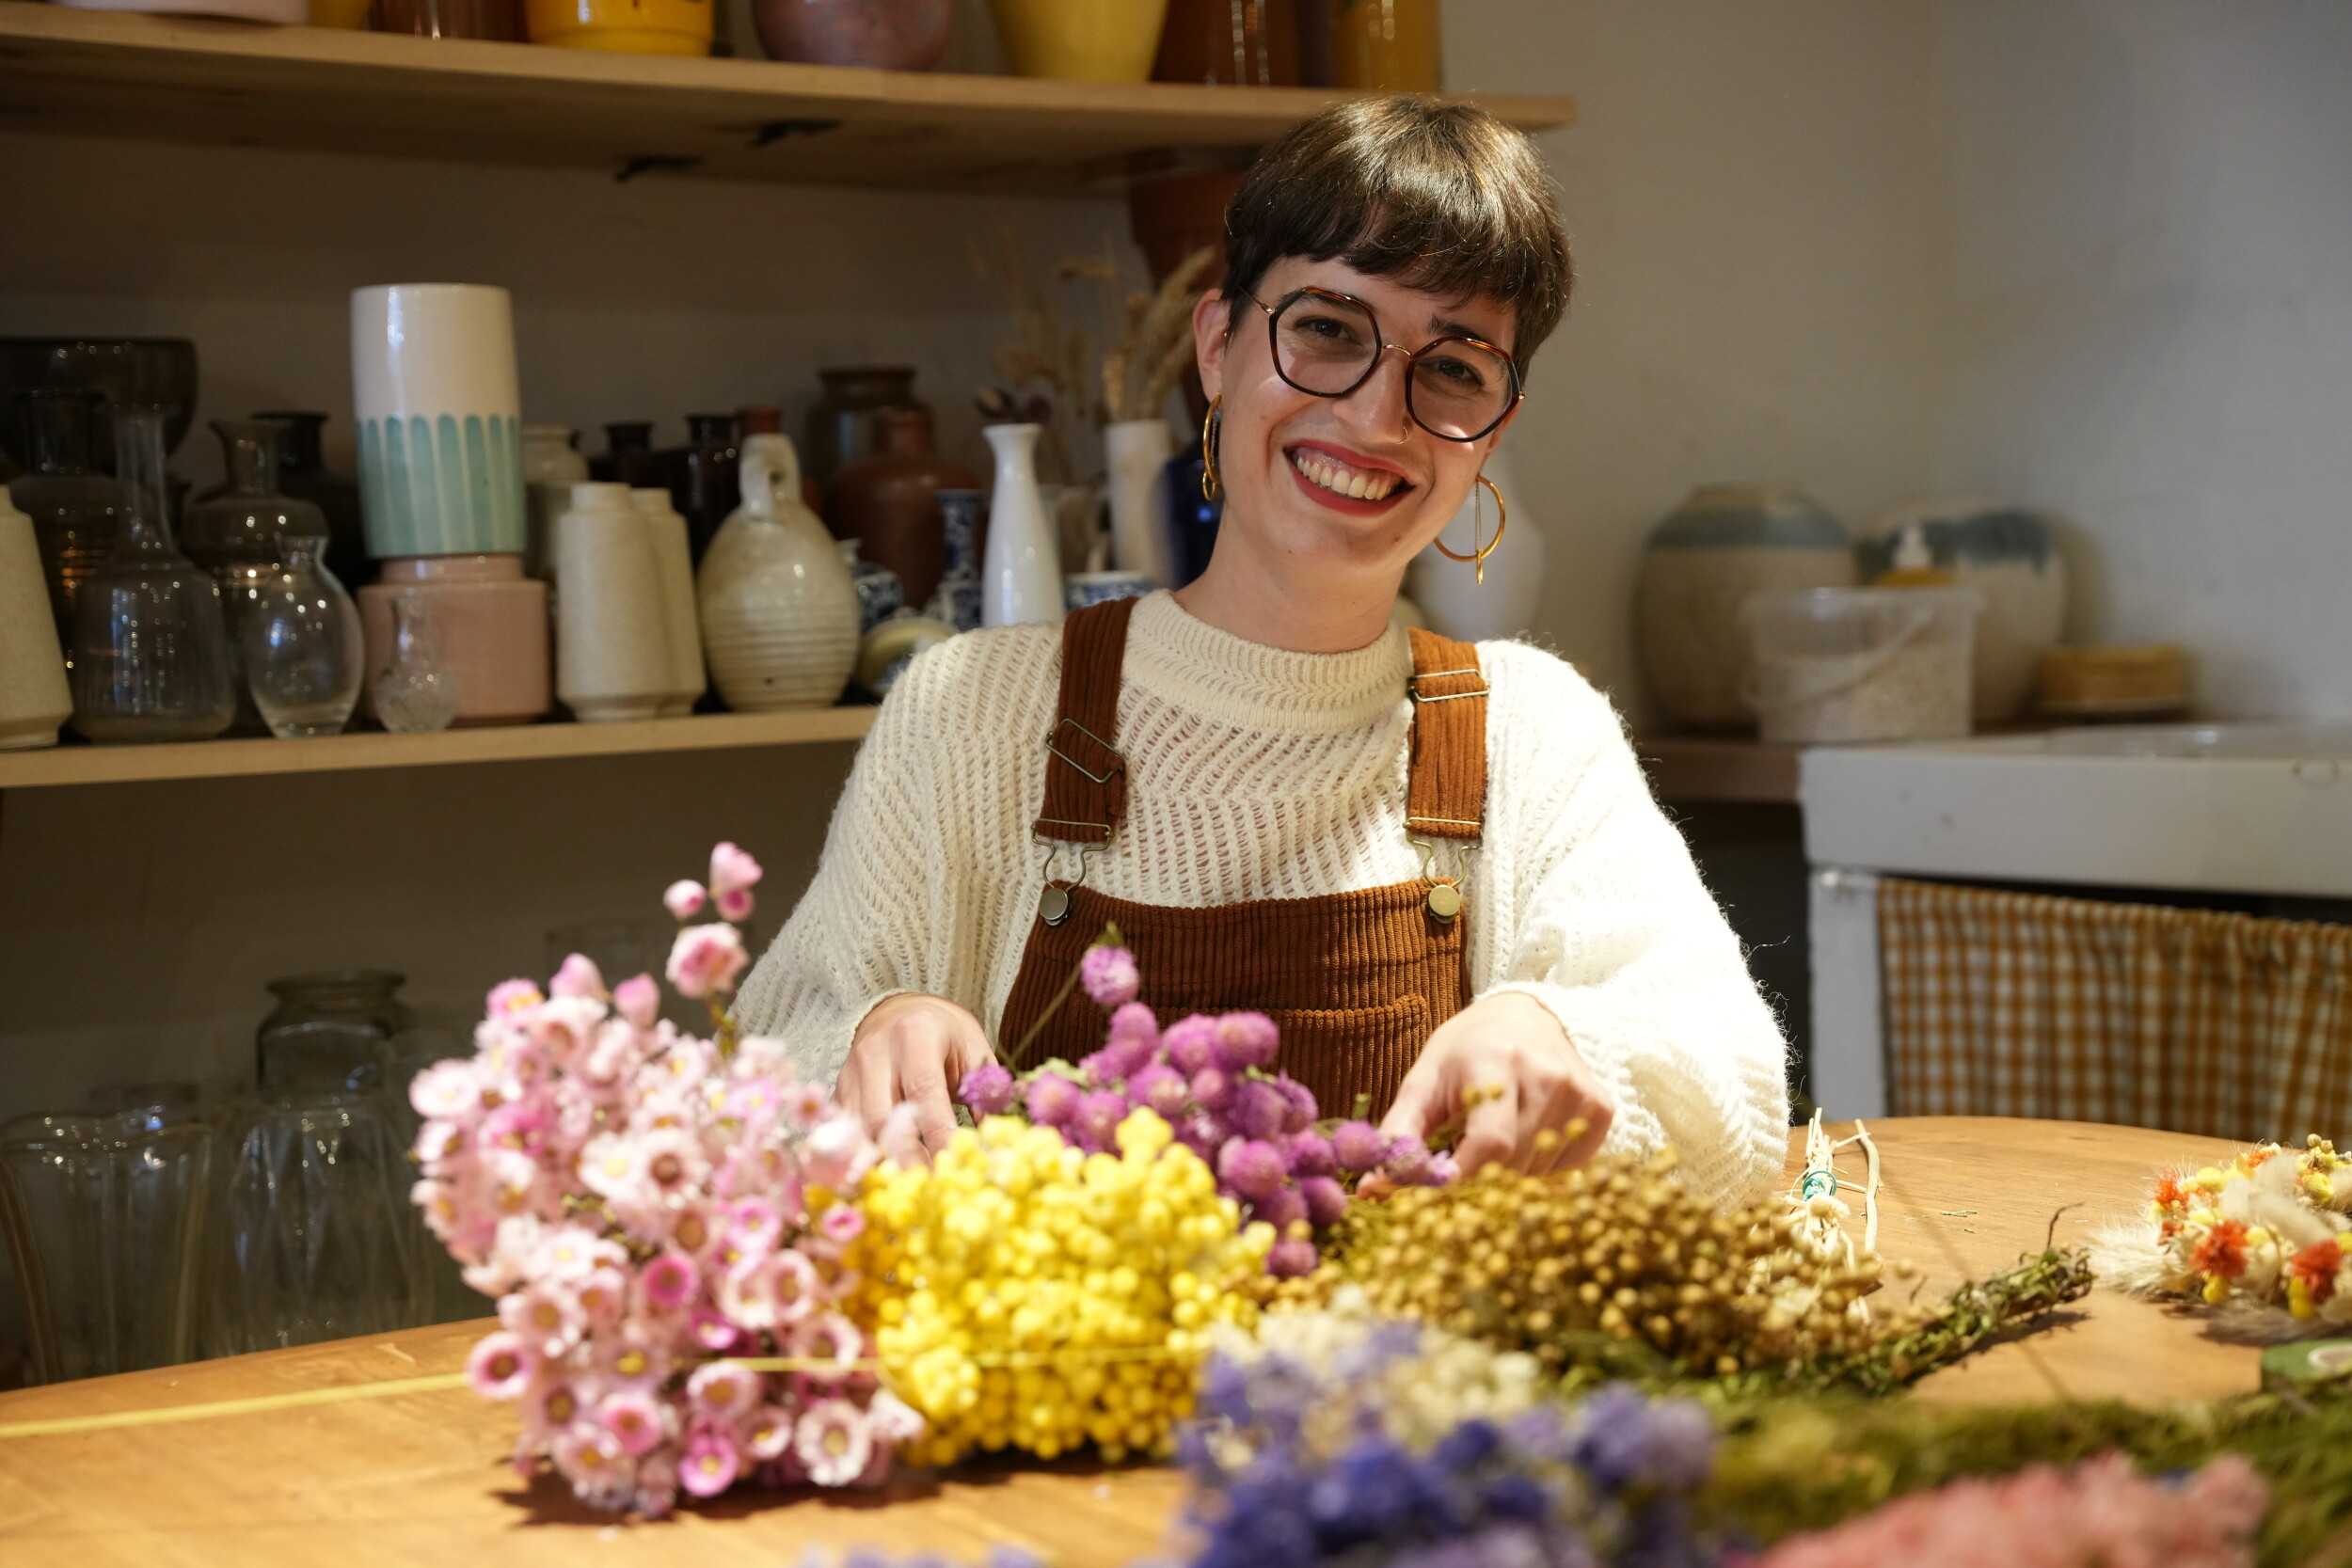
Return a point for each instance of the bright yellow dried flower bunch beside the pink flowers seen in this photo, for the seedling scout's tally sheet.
(1031, 1296)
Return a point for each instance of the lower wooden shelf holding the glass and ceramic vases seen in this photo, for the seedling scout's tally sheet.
(86, 765)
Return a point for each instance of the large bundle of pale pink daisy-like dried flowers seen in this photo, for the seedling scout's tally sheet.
(655, 1209)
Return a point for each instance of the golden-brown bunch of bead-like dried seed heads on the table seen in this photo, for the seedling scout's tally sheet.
(1615, 1249)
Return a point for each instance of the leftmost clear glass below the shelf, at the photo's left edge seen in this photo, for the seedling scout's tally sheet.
(105, 1224)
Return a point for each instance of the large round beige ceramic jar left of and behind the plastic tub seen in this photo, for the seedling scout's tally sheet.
(1699, 568)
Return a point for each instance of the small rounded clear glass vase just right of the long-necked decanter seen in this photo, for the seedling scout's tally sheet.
(302, 645)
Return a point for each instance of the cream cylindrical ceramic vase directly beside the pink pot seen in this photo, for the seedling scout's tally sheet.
(613, 652)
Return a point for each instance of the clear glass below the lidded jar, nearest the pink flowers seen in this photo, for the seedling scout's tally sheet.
(316, 1233)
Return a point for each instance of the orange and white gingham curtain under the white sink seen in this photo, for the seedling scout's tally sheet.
(2019, 1005)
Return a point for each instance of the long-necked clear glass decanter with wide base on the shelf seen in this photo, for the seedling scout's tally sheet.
(149, 643)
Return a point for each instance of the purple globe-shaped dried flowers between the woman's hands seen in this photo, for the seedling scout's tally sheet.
(1212, 1080)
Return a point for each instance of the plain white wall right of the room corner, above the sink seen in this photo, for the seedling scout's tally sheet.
(2146, 316)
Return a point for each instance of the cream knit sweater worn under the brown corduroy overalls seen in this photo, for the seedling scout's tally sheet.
(1269, 775)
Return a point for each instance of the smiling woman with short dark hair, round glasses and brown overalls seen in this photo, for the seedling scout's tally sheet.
(1434, 864)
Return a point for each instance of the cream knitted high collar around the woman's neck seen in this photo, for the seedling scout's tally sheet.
(1250, 685)
